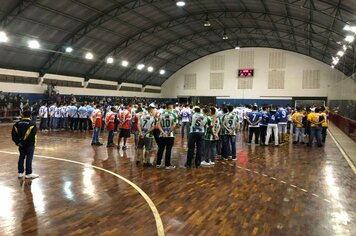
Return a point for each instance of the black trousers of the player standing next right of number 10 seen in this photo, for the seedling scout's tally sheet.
(195, 140)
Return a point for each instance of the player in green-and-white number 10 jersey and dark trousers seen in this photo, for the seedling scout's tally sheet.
(166, 125)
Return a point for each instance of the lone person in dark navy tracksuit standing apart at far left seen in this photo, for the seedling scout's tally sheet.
(24, 135)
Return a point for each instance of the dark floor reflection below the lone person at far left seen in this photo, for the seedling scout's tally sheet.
(29, 218)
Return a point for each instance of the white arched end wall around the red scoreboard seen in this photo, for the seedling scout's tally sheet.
(294, 66)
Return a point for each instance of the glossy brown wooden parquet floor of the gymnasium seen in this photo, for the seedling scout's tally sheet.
(290, 190)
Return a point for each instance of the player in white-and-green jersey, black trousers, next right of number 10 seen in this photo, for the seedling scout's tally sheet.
(196, 136)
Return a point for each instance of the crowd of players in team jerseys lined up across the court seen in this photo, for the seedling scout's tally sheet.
(211, 131)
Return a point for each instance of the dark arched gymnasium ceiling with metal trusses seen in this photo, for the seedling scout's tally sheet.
(164, 36)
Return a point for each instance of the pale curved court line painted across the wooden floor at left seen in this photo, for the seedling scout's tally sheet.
(159, 224)
